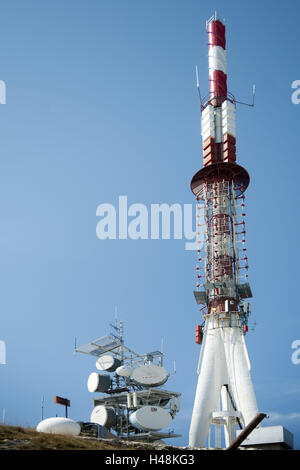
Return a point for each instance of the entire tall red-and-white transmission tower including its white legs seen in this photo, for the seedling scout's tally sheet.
(222, 279)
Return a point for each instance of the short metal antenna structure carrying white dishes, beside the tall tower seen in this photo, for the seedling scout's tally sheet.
(132, 405)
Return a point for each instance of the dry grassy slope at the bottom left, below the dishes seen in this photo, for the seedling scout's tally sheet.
(16, 437)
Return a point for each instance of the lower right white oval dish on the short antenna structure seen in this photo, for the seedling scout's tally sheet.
(150, 418)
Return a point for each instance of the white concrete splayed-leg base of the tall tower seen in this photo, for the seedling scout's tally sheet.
(223, 361)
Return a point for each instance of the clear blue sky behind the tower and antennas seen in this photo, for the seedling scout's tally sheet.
(101, 102)
